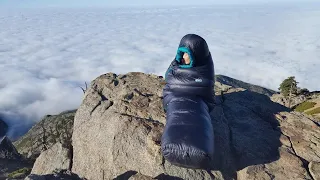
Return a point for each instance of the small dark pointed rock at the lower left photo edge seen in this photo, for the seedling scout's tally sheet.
(7, 150)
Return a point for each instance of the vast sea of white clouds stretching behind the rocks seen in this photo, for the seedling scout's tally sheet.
(46, 54)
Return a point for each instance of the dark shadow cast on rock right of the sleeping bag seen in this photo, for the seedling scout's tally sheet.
(246, 131)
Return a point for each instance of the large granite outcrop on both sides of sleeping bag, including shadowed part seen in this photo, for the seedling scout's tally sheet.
(118, 128)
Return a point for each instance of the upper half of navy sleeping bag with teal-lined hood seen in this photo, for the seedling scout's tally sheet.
(194, 79)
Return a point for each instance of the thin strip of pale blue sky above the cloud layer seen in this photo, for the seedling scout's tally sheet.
(141, 3)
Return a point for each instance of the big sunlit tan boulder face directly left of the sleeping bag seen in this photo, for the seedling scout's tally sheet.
(120, 120)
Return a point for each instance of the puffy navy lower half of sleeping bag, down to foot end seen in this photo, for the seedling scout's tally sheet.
(188, 137)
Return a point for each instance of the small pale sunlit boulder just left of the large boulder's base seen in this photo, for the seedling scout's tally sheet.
(57, 157)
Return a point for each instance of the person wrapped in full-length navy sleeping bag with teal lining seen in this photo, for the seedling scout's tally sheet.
(188, 98)
